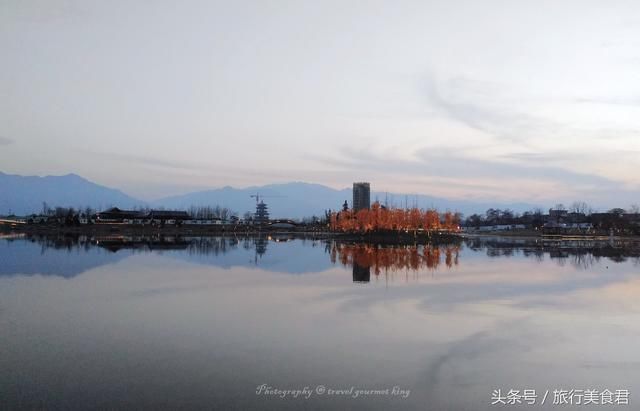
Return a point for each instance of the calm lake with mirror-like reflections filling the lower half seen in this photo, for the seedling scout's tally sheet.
(288, 323)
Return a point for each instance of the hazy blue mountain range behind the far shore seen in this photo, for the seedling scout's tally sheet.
(22, 195)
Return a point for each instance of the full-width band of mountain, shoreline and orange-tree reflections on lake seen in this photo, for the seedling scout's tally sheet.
(295, 254)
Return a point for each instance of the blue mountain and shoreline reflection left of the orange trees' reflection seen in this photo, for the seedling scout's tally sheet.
(69, 255)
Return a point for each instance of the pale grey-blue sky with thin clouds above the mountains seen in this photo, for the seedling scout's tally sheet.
(535, 101)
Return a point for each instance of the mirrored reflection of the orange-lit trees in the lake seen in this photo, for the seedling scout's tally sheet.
(394, 258)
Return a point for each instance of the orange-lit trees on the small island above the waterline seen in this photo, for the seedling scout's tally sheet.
(393, 219)
